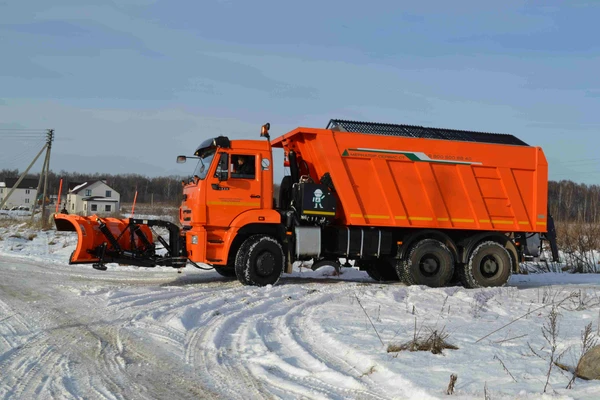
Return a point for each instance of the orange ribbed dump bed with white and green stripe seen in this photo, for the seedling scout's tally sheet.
(395, 181)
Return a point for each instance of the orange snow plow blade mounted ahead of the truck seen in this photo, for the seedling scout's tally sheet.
(98, 236)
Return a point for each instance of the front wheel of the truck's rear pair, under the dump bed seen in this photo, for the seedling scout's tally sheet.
(429, 262)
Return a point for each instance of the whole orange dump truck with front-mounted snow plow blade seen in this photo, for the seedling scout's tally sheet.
(402, 202)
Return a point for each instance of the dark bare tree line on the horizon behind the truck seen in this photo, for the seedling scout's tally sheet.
(567, 200)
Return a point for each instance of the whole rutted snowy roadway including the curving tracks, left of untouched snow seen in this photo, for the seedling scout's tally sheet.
(69, 332)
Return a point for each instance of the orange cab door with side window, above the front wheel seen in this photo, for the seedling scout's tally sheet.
(232, 190)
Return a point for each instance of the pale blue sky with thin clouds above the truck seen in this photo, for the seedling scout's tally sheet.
(130, 84)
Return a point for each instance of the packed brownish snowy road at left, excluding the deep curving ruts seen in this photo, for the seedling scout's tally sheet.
(58, 340)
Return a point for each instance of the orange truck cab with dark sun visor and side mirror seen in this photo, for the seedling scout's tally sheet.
(231, 189)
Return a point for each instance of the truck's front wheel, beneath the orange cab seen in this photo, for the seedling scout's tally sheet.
(260, 261)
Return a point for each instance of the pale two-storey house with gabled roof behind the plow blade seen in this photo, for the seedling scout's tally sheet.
(91, 198)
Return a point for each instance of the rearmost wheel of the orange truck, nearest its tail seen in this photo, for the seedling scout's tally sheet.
(489, 265)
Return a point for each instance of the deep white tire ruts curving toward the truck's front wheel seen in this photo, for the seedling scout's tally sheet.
(236, 342)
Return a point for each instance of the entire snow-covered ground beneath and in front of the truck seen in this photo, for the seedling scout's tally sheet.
(74, 332)
